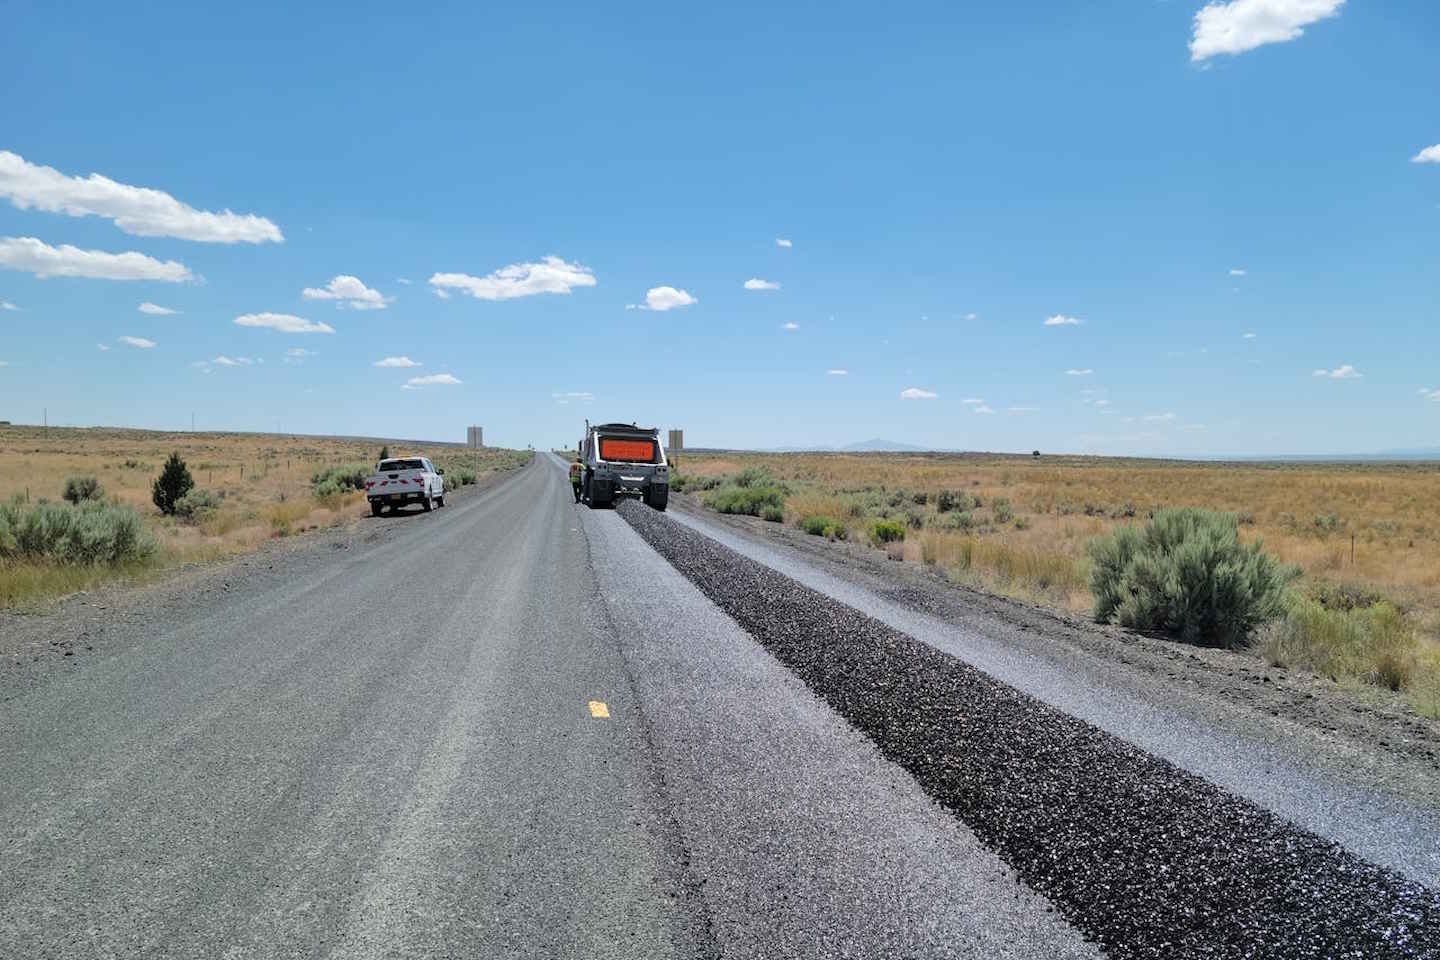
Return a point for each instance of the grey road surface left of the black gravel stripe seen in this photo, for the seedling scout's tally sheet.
(394, 752)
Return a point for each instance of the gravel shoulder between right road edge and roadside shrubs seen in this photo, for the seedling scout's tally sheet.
(1369, 730)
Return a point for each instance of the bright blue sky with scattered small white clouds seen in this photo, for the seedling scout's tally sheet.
(948, 178)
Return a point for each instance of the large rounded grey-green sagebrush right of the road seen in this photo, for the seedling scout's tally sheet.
(1187, 575)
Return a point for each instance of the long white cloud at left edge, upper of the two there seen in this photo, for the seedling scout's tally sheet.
(136, 211)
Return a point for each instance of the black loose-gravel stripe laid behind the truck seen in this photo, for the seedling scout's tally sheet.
(1141, 856)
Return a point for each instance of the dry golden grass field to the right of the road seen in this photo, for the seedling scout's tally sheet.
(1308, 515)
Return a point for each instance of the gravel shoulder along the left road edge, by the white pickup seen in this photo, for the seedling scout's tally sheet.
(74, 633)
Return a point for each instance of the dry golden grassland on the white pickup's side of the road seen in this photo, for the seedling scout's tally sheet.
(264, 481)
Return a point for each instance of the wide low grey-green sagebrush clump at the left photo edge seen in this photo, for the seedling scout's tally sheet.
(91, 533)
